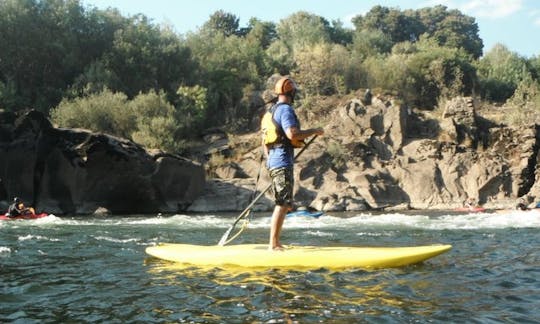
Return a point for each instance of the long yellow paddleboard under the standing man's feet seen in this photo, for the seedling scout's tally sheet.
(295, 257)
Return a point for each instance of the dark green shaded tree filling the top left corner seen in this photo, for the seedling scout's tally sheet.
(43, 46)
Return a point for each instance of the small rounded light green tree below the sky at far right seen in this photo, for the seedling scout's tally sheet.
(500, 71)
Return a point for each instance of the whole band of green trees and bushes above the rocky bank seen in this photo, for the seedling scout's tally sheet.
(130, 77)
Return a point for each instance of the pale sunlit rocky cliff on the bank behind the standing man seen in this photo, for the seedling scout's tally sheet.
(381, 155)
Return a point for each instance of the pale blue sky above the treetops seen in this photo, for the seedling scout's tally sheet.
(513, 23)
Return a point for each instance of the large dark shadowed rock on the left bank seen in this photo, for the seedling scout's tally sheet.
(78, 172)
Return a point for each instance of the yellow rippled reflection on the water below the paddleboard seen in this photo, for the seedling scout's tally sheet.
(264, 295)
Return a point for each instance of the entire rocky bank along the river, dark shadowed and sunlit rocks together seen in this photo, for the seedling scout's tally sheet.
(377, 155)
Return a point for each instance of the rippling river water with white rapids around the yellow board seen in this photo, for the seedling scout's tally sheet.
(86, 270)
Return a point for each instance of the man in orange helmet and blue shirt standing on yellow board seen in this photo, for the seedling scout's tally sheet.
(281, 134)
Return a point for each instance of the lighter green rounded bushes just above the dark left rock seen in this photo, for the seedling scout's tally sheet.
(149, 119)
